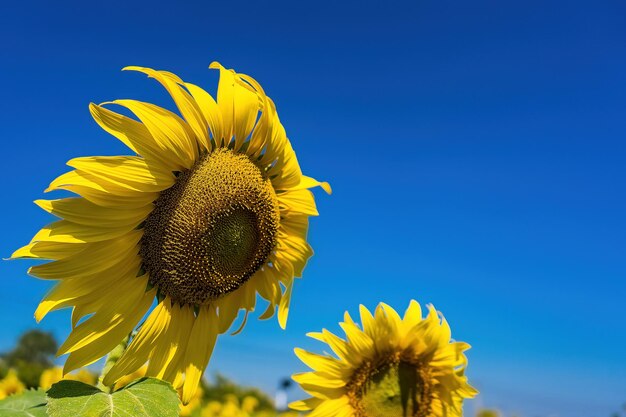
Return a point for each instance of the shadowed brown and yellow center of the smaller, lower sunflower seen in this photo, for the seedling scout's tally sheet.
(392, 388)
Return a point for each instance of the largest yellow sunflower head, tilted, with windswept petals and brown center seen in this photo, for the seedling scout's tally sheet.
(210, 210)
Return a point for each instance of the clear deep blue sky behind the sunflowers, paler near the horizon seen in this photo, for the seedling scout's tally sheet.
(476, 149)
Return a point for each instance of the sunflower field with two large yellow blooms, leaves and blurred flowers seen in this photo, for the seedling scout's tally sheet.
(158, 251)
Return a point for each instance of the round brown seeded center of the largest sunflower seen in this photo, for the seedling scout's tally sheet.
(212, 230)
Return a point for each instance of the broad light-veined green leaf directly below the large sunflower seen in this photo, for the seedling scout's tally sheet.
(147, 397)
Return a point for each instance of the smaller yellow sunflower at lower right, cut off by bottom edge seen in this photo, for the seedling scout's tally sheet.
(393, 367)
